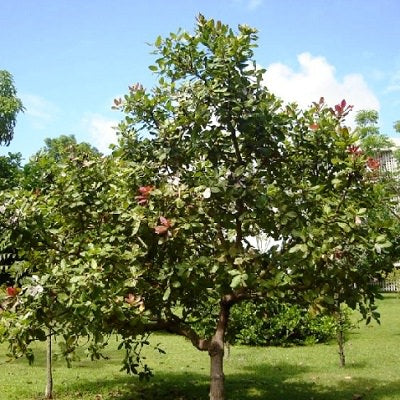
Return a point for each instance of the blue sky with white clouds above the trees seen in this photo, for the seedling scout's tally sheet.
(71, 58)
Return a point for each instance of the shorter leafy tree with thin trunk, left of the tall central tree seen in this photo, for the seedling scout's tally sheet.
(58, 234)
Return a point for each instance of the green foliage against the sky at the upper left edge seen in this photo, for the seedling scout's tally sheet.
(10, 106)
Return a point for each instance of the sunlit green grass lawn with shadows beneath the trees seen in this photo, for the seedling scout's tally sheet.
(297, 373)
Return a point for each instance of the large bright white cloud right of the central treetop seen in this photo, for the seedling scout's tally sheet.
(316, 78)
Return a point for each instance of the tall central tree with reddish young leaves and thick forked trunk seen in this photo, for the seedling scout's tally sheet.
(222, 161)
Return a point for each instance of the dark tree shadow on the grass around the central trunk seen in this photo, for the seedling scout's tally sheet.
(261, 382)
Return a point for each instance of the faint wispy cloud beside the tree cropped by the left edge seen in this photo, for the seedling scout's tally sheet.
(39, 111)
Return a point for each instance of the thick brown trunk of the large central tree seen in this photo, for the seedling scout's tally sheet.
(216, 352)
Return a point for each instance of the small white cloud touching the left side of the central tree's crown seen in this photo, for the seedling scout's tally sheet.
(101, 130)
